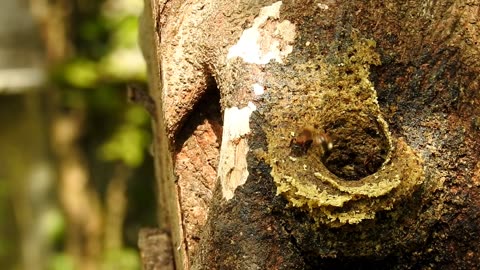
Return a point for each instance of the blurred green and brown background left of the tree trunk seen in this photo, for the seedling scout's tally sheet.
(76, 175)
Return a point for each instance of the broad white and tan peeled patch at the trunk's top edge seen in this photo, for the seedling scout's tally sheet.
(265, 41)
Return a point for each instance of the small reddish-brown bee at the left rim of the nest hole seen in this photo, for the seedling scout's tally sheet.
(309, 137)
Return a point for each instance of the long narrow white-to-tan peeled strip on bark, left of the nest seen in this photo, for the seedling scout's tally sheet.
(232, 167)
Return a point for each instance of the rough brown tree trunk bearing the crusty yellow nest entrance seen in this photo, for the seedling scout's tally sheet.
(307, 134)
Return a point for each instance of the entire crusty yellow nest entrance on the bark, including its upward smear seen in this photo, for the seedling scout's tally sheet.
(367, 170)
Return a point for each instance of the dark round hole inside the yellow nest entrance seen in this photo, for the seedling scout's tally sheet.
(361, 146)
